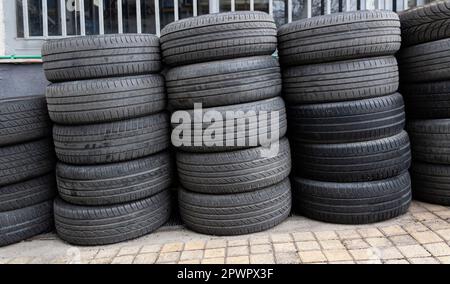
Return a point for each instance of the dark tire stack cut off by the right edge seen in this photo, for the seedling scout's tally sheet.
(425, 82)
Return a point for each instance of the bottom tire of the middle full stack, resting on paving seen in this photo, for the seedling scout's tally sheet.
(236, 214)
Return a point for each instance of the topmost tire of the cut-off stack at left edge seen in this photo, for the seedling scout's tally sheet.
(23, 119)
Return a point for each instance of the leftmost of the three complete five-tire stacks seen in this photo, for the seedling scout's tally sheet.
(111, 137)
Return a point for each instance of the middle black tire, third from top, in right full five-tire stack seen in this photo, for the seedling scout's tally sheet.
(348, 121)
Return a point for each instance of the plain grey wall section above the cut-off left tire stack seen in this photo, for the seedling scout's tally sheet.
(18, 80)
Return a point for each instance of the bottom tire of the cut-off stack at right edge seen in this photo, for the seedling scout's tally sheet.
(431, 182)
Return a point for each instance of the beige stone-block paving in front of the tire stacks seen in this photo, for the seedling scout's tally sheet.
(420, 236)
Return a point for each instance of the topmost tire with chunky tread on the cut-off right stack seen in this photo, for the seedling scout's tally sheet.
(426, 23)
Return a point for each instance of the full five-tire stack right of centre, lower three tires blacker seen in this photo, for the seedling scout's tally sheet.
(350, 152)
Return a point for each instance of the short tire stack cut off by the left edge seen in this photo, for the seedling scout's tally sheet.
(27, 163)
